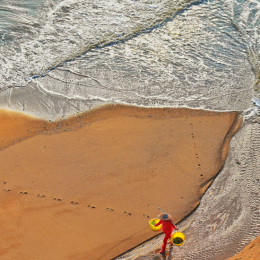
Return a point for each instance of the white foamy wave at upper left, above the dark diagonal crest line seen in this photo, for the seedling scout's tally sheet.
(67, 29)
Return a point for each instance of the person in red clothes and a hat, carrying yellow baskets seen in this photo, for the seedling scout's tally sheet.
(167, 227)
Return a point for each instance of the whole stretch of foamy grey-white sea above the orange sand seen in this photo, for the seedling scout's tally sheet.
(62, 57)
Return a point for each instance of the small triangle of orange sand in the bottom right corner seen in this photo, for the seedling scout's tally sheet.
(251, 252)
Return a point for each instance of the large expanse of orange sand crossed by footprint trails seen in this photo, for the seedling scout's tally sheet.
(86, 187)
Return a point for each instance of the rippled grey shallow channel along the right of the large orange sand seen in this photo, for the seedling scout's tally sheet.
(228, 216)
